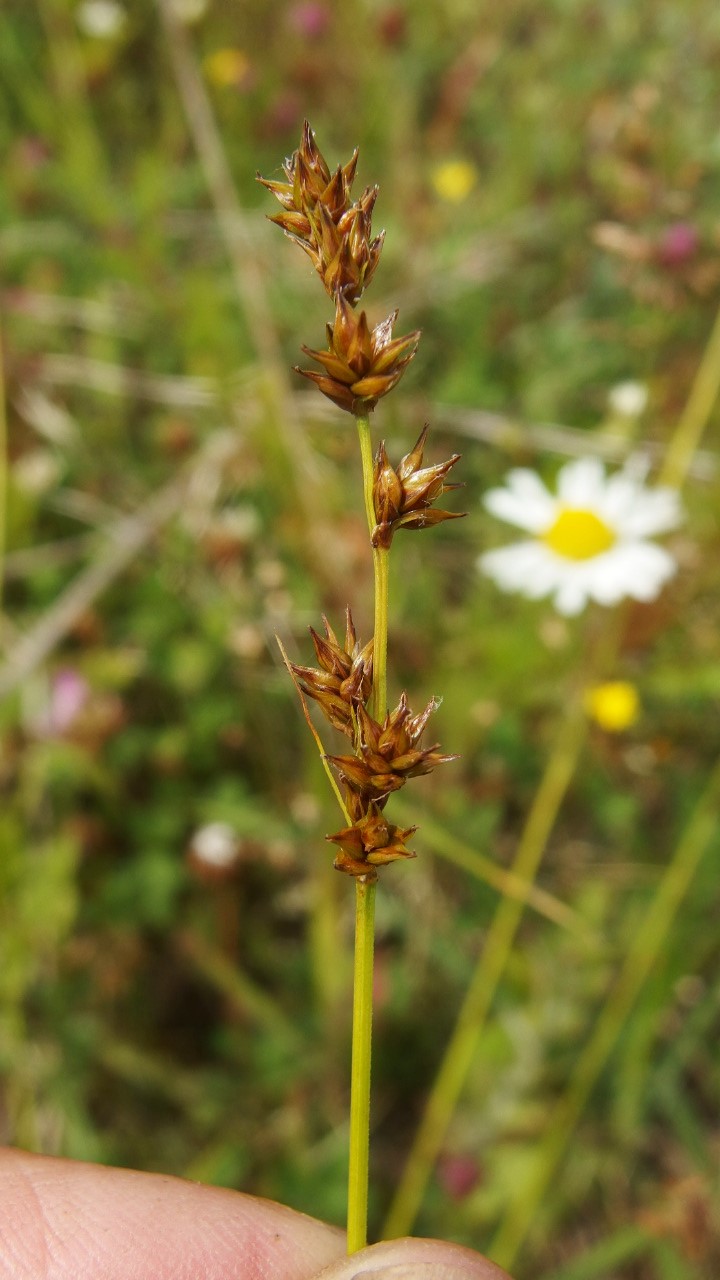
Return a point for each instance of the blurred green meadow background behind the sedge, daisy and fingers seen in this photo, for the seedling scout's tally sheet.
(550, 185)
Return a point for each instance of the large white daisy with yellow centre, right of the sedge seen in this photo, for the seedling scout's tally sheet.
(589, 541)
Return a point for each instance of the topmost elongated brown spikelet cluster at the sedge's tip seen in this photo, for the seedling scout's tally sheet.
(321, 217)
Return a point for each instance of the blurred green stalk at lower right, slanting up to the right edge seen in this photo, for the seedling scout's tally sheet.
(640, 963)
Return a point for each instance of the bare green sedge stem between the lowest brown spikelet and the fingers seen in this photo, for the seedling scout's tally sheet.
(361, 1081)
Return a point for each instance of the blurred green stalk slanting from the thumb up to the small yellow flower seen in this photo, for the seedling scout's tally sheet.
(491, 966)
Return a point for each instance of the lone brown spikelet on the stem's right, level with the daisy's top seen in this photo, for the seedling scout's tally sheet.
(404, 499)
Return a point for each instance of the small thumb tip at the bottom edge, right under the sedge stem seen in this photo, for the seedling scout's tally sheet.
(414, 1260)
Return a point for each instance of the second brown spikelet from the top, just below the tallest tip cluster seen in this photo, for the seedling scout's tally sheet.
(361, 364)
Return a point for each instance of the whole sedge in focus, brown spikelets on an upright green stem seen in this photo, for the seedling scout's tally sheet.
(361, 365)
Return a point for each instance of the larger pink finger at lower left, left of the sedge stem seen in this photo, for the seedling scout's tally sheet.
(66, 1220)
